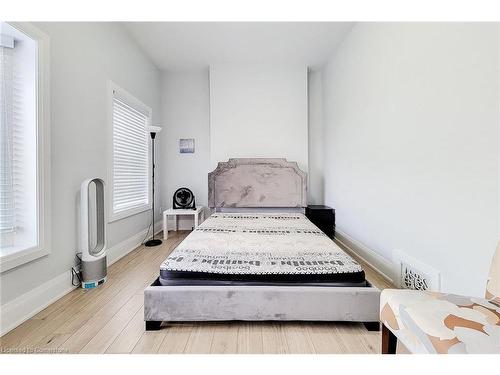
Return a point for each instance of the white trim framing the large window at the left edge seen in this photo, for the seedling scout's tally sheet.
(43, 171)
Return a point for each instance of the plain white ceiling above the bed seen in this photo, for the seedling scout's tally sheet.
(192, 45)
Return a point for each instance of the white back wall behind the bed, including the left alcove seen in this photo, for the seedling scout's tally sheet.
(235, 111)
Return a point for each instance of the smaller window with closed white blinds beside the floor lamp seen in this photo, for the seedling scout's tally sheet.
(129, 179)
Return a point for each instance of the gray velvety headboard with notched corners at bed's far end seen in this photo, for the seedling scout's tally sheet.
(256, 182)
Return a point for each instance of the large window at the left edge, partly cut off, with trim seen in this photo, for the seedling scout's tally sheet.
(24, 194)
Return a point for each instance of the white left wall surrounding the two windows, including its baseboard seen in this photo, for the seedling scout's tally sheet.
(83, 56)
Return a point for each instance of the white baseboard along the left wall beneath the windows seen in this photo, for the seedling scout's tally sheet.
(20, 309)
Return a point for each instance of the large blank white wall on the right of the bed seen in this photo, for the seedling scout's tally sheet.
(411, 144)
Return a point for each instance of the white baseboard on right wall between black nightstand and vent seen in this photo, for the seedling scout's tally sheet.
(376, 261)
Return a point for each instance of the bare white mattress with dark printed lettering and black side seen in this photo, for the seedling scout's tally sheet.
(259, 249)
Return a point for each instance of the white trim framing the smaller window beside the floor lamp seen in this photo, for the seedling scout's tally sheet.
(113, 87)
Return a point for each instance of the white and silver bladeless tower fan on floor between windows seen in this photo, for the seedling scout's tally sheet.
(93, 233)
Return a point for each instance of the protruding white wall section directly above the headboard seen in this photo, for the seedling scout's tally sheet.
(258, 111)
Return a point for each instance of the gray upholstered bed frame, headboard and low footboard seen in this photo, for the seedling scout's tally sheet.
(259, 184)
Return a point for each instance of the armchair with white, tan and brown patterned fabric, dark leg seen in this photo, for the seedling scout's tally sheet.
(428, 322)
